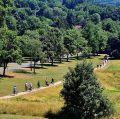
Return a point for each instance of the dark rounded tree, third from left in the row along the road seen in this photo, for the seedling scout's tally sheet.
(52, 44)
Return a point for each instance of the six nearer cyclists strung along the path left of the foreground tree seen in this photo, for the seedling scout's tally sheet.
(31, 86)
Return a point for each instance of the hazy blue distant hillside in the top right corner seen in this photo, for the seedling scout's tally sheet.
(108, 2)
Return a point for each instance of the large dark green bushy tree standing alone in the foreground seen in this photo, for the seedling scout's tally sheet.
(83, 95)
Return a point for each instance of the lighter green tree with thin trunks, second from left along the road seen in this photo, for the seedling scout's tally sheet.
(33, 46)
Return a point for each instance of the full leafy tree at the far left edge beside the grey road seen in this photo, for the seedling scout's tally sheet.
(10, 47)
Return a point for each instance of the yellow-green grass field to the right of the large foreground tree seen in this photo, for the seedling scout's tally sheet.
(110, 79)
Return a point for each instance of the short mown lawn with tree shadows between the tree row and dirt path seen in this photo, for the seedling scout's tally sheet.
(21, 76)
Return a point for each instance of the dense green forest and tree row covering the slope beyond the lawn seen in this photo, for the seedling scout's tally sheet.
(46, 29)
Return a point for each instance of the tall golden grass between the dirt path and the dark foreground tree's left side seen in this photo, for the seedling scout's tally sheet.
(41, 103)
